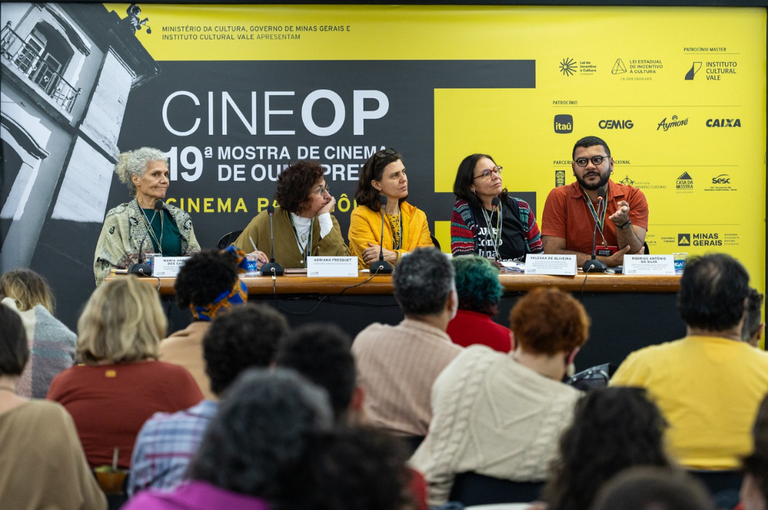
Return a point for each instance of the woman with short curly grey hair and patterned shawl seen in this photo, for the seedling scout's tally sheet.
(146, 224)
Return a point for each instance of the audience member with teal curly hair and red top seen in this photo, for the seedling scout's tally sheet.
(479, 290)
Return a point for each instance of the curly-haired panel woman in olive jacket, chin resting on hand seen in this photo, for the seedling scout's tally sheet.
(303, 223)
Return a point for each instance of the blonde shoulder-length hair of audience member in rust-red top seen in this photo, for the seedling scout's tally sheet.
(123, 322)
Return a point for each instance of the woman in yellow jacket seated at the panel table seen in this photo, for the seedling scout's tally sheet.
(405, 226)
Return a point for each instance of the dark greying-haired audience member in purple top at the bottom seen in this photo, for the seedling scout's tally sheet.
(253, 447)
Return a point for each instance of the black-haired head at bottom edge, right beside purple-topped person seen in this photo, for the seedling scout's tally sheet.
(353, 468)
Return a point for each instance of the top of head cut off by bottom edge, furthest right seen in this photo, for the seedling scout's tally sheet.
(653, 488)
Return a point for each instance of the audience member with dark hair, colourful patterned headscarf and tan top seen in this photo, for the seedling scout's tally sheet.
(208, 285)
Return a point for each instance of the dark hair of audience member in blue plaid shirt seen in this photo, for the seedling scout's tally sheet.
(245, 337)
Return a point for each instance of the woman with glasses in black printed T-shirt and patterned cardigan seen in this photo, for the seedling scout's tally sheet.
(486, 221)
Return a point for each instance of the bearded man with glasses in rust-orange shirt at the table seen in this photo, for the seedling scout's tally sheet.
(571, 212)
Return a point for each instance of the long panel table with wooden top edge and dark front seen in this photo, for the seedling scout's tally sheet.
(627, 312)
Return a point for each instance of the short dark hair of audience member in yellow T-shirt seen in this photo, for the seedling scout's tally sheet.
(712, 292)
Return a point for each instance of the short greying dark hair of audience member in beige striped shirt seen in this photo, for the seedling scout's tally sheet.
(423, 281)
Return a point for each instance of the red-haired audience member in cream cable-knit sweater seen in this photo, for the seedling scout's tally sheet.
(500, 414)
